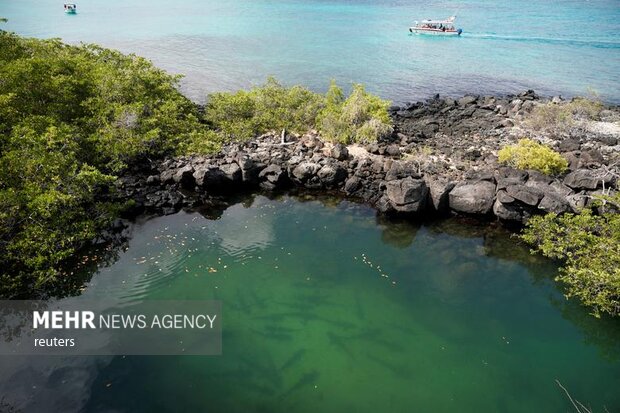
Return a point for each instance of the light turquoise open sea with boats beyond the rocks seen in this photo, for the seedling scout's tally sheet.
(555, 47)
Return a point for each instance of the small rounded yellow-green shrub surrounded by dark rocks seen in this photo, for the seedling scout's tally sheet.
(528, 154)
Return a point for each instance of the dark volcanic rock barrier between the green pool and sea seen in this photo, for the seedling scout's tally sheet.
(440, 160)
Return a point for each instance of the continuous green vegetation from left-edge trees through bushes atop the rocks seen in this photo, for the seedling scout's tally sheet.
(72, 118)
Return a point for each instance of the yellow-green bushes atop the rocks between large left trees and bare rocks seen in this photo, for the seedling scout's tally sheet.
(361, 117)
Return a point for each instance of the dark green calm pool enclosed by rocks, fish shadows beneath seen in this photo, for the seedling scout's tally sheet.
(328, 308)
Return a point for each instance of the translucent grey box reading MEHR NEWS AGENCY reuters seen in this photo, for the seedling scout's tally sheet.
(73, 327)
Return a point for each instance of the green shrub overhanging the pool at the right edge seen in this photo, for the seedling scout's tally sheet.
(589, 246)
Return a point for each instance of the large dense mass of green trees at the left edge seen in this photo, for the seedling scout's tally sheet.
(70, 118)
